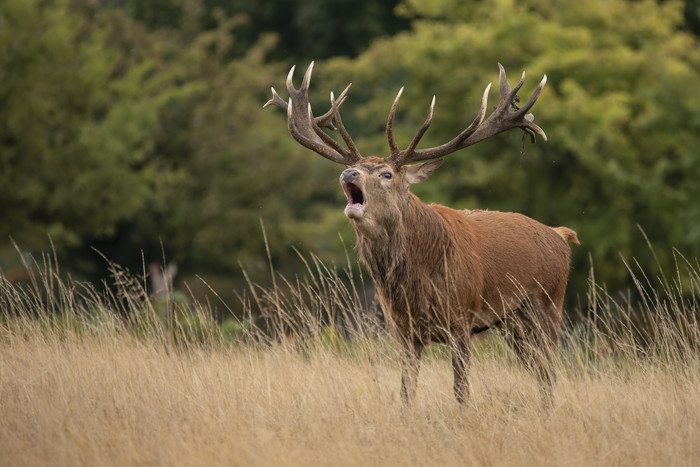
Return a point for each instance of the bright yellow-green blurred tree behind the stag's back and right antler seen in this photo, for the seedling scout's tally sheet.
(620, 109)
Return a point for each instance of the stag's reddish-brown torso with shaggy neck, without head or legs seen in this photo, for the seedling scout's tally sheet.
(431, 279)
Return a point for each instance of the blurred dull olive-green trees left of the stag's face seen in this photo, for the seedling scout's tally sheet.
(126, 139)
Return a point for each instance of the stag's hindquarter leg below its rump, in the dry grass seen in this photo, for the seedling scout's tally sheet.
(532, 332)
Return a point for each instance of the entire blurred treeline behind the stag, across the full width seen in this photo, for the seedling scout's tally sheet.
(135, 127)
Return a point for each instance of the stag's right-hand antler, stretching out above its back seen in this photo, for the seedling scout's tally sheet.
(506, 116)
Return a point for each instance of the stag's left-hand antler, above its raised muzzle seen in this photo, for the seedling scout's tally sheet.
(307, 130)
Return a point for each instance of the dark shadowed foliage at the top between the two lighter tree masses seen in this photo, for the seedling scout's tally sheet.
(308, 28)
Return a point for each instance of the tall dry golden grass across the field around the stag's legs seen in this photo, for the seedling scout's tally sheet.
(92, 377)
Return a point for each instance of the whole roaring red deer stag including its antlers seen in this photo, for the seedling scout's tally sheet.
(442, 274)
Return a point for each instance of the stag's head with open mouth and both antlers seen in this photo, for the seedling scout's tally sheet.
(377, 188)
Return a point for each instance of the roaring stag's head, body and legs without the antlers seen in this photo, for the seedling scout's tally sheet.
(443, 275)
